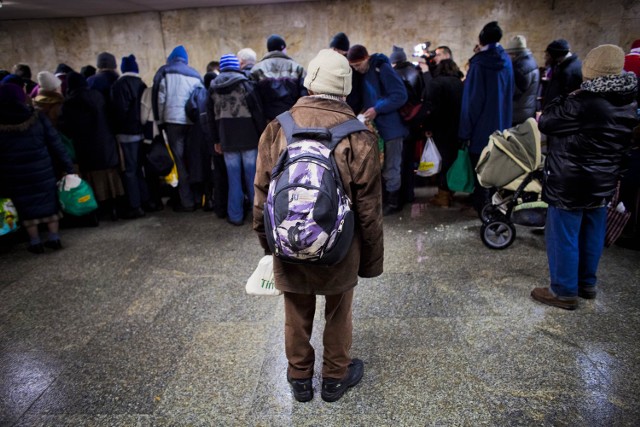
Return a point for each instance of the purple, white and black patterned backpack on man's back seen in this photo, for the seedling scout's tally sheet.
(307, 215)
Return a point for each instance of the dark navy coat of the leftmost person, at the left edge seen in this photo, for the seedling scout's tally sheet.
(27, 175)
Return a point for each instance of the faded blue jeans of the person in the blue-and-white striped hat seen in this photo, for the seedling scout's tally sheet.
(240, 164)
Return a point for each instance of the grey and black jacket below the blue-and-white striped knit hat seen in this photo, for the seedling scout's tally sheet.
(235, 112)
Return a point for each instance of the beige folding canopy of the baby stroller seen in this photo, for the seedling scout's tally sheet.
(510, 155)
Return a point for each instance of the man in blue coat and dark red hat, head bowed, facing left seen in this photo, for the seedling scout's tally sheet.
(383, 93)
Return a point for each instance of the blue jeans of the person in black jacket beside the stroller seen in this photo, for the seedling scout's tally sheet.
(575, 240)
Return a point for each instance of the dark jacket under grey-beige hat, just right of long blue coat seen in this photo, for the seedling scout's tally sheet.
(527, 80)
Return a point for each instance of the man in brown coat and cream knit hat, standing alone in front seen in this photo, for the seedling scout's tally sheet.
(328, 82)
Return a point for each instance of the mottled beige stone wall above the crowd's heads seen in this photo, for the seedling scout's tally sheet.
(308, 26)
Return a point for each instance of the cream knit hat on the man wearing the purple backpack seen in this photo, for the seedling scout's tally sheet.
(329, 73)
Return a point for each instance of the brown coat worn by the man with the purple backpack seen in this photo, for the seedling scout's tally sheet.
(357, 159)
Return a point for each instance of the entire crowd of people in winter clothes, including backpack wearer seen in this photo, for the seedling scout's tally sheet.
(225, 141)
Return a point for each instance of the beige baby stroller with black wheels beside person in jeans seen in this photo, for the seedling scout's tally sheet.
(512, 163)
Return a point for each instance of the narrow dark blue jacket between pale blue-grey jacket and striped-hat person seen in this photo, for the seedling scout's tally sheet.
(199, 147)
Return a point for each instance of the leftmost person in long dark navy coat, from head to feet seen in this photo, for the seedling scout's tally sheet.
(28, 141)
